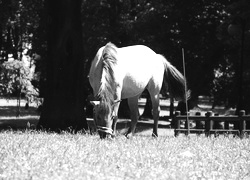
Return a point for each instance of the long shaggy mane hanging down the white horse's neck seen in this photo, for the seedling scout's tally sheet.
(107, 90)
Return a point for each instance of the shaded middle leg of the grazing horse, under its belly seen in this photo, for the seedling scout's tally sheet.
(133, 107)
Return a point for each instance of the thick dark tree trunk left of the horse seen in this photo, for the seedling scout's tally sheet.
(63, 107)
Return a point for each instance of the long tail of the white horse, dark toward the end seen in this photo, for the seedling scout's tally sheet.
(174, 81)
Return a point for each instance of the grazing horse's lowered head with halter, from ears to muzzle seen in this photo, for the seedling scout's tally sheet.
(104, 115)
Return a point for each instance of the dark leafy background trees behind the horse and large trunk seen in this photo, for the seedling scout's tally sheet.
(213, 51)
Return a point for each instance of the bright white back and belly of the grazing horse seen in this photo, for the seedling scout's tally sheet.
(138, 65)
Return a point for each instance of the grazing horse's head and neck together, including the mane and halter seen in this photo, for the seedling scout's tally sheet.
(104, 84)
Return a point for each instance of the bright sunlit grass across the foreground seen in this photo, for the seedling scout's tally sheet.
(40, 155)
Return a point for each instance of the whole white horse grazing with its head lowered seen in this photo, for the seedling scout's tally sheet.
(124, 73)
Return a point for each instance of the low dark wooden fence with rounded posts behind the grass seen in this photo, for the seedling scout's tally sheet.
(208, 124)
